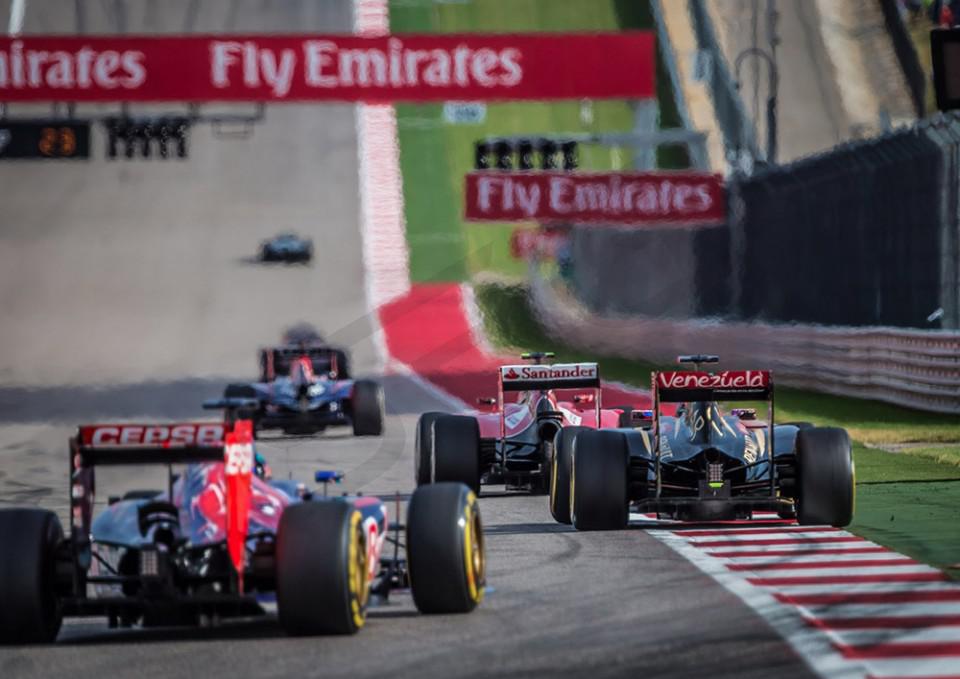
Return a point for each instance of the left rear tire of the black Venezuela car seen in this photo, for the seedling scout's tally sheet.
(598, 481)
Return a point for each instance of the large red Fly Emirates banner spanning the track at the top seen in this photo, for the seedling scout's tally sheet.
(328, 68)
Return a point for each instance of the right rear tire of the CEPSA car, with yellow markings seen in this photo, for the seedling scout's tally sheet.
(322, 573)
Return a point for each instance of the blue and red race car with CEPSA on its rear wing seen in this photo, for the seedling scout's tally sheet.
(221, 542)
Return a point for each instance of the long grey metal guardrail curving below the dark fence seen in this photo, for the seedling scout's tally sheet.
(914, 368)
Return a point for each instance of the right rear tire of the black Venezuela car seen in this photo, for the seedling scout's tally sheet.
(825, 477)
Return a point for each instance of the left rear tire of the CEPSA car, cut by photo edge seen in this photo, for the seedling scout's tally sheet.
(30, 610)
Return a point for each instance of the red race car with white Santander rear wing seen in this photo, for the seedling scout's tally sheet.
(513, 445)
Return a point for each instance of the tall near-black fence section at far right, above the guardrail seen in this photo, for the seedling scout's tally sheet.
(863, 235)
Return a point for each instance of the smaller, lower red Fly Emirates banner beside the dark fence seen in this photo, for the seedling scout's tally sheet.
(683, 198)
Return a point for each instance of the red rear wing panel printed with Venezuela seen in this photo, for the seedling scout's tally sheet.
(682, 385)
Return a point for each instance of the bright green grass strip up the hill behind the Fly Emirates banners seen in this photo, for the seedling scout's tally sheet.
(435, 156)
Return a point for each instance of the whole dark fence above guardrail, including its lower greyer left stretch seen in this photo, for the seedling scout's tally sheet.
(867, 234)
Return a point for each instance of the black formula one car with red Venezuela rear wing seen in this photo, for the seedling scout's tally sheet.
(705, 464)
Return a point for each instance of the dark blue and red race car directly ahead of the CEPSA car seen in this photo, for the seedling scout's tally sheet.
(310, 397)
